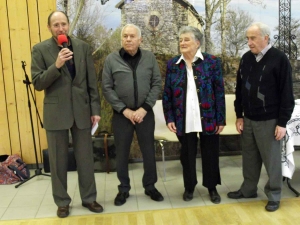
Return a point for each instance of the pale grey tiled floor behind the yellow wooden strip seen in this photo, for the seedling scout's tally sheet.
(33, 199)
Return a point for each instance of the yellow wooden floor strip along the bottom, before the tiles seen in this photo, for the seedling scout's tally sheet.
(236, 213)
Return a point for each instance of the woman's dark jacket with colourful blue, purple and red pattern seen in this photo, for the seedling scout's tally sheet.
(210, 88)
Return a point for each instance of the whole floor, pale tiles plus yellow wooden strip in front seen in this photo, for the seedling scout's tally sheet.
(33, 203)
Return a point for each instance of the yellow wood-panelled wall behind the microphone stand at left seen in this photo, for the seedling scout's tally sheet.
(23, 24)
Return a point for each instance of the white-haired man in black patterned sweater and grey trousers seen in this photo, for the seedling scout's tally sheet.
(264, 104)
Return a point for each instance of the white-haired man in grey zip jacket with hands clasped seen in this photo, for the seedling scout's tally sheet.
(131, 83)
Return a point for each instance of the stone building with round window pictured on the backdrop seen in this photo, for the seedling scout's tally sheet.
(160, 21)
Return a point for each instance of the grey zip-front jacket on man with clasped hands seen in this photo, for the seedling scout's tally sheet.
(122, 86)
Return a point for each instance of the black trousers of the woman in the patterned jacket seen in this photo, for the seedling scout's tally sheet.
(210, 160)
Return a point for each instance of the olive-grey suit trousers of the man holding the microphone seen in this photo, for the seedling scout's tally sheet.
(58, 141)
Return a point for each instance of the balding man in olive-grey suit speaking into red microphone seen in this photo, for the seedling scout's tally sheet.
(67, 76)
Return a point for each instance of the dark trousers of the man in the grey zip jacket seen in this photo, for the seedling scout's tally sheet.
(123, 134)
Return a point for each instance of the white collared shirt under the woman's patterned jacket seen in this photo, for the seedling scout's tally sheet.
(192, 111)
